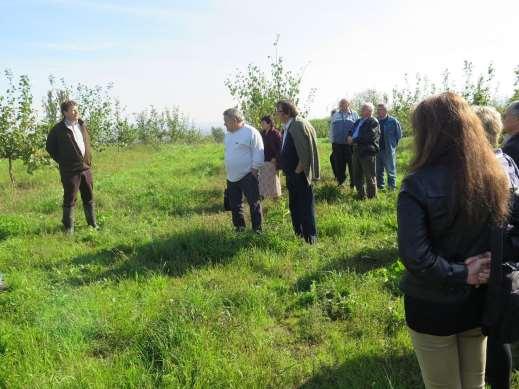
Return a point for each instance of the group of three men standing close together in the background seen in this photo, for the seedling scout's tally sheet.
(364, 147)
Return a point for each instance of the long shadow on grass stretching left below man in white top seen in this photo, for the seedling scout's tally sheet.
(174, 256)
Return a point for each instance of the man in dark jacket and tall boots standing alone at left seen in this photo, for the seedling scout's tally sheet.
(68, 144)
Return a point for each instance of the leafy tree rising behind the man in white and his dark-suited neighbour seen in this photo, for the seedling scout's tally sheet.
(257, 92)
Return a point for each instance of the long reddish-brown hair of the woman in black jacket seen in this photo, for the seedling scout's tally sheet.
(448, 132)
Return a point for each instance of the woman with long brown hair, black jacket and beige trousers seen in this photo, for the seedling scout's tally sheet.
(456, 191)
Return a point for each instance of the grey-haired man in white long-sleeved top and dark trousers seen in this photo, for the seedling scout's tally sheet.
(244, 155)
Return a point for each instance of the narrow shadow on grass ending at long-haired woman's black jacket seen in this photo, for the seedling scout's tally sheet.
(360, 263)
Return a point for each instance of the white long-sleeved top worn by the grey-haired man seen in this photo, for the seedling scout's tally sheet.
(243, 152)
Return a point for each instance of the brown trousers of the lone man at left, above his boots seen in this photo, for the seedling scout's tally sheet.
(77, 181)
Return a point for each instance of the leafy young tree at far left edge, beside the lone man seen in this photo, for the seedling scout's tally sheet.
(19, 136)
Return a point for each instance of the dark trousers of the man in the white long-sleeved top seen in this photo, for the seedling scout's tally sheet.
(249, 187)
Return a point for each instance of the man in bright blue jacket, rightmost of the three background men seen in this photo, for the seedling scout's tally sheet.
(390, 135)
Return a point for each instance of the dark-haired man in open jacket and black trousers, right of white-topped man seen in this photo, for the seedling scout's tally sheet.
(300, 163)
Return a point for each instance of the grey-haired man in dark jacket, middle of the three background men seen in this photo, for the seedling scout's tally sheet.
(364, 137)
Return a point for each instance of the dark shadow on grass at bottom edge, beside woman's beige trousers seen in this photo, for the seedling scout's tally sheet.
(394, 371)
